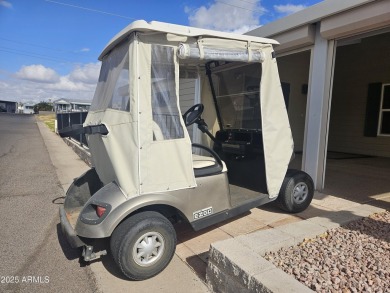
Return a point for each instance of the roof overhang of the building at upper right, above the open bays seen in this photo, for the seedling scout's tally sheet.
(335, 19)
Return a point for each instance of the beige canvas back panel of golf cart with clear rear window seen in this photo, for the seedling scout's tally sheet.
(115, 155)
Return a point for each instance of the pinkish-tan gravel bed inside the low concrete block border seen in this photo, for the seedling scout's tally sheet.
(352, 258)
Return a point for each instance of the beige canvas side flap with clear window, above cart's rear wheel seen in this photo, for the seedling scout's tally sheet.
(165, 146)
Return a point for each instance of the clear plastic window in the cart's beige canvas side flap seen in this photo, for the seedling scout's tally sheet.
(164, 100)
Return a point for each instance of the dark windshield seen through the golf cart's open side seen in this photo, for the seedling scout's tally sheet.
(237, 89)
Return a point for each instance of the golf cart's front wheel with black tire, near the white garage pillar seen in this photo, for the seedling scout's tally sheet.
(296, 192)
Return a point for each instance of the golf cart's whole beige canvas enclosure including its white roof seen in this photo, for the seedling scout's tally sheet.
(148, 148)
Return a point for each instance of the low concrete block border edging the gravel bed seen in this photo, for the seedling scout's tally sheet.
(237, 264)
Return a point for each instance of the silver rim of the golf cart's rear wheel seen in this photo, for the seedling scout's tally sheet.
(148, 249)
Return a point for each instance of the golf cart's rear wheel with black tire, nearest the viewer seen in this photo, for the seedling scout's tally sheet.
(151, 230)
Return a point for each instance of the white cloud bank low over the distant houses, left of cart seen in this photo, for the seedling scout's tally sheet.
(37, 83)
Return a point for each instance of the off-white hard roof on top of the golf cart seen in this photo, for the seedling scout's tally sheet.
(186, 31)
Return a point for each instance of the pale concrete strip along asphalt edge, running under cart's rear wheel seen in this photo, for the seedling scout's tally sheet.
(177, 277)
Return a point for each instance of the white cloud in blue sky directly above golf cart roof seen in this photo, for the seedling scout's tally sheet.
(229, 15)
